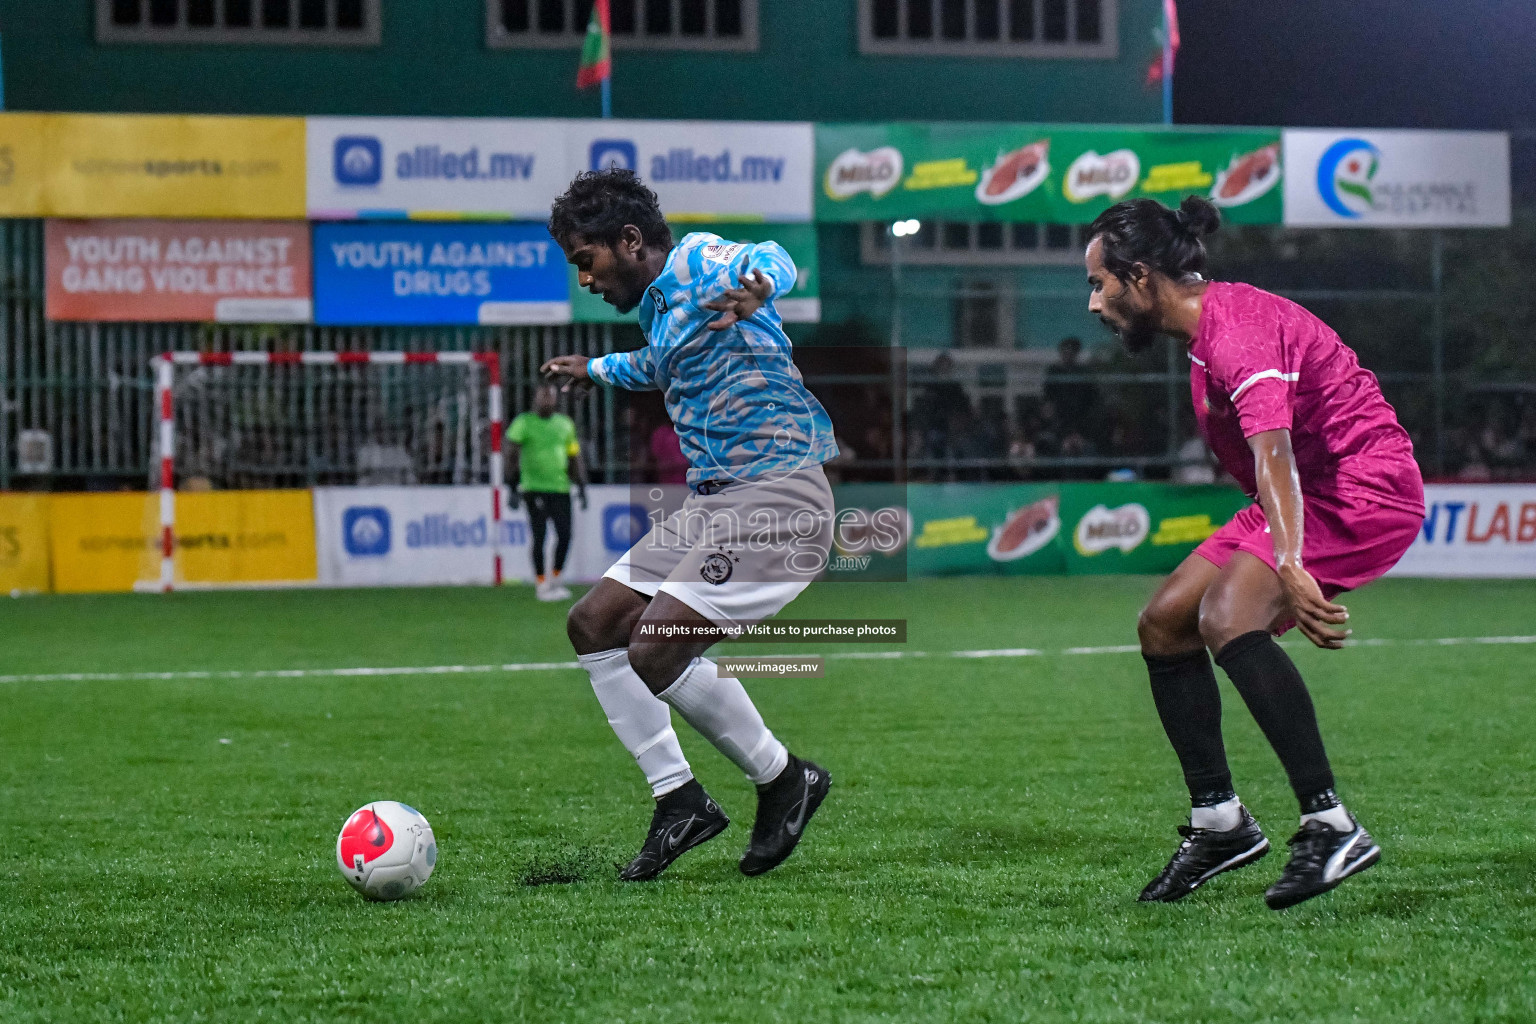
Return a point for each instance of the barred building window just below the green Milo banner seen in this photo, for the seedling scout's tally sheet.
(978, 245)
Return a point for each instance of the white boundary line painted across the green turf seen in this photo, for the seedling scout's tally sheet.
(555, 667)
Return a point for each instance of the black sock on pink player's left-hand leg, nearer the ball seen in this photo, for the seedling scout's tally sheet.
(1190, 704)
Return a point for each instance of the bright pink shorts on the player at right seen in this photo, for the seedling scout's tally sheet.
(1345, 544)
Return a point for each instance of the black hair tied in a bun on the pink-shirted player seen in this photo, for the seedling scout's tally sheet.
(1150, 234)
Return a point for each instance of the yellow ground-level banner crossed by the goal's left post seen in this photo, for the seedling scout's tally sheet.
(110, 543)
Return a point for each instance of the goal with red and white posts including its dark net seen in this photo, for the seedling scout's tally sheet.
(273, 420)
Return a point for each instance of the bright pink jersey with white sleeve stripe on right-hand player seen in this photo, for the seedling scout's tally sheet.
(1263, 363)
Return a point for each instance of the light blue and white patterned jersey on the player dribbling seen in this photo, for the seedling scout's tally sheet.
(735, 397)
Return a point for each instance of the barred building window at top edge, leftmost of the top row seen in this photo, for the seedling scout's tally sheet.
(297, 22)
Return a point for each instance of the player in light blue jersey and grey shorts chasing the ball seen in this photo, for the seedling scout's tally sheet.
(756, 441)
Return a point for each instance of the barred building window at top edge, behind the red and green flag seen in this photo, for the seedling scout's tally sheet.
(635, 24)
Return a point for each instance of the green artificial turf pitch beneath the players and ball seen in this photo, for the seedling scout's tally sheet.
(168, 845)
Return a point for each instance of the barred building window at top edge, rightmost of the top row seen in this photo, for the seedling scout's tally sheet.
(990, 28)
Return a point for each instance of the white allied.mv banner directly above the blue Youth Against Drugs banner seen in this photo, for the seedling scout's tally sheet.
(435, 168)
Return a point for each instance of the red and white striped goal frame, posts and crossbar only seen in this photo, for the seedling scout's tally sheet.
(165, 380)
